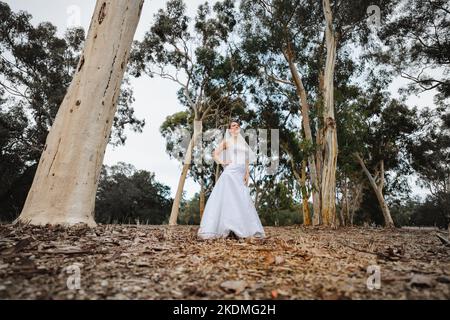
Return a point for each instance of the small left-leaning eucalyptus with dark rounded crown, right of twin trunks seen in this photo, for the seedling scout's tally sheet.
(376, 135)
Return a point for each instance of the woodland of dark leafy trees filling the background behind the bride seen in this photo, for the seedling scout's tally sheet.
(235, 49)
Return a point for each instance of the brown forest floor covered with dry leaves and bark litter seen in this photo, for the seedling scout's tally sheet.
(162, 262)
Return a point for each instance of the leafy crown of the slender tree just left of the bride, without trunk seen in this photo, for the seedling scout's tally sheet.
(199, 57)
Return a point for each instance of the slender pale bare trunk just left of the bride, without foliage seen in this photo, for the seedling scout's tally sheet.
(186, 164)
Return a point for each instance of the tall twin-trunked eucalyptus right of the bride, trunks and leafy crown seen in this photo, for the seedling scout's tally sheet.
(300, 44)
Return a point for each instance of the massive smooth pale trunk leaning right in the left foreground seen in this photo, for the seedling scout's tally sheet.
(65, 184)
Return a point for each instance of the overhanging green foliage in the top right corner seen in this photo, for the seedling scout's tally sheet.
(419, 46)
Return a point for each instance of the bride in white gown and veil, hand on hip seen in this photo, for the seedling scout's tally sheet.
(230, 209)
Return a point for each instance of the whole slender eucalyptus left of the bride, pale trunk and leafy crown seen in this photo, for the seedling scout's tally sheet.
(199, 57)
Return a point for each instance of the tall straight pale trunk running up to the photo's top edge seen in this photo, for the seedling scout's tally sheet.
(328, 191)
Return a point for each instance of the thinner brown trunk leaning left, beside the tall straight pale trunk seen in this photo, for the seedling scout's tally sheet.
(306, 123)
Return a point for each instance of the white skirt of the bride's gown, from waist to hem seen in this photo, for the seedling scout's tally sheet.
(230, 208)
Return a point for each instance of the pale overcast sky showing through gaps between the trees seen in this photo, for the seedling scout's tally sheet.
(155, 98)
